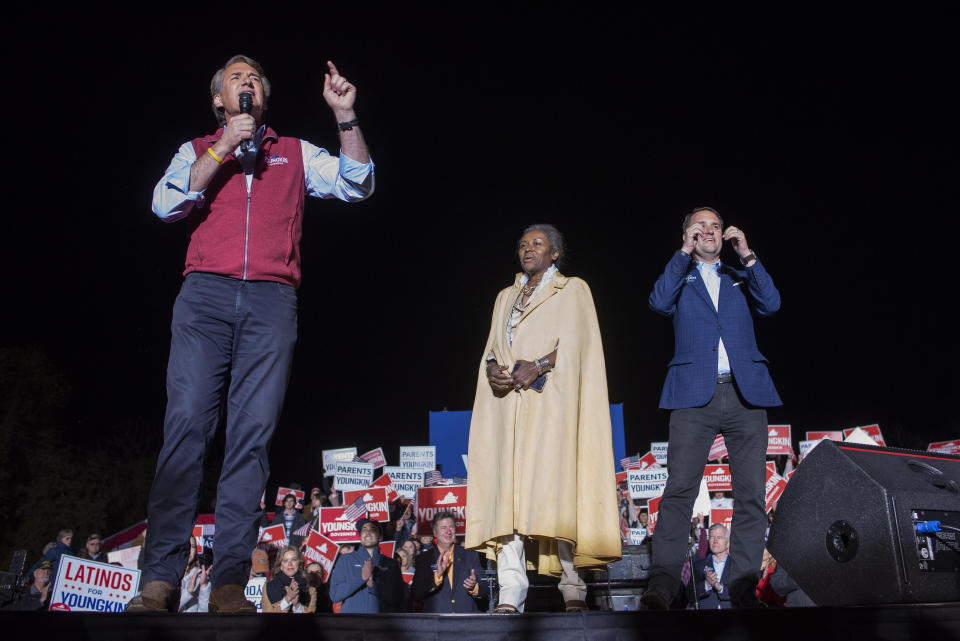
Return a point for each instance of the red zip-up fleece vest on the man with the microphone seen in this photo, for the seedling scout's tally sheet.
(262, 243)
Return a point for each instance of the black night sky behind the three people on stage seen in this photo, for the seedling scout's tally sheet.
(830, 139)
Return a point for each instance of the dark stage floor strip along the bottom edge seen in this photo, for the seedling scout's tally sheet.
(938, 622)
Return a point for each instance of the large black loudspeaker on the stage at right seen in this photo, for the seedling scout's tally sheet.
(848, 526)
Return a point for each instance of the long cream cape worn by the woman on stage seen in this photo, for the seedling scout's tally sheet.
(541, 463)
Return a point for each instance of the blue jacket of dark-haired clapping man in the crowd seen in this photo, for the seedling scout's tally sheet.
(347, 584)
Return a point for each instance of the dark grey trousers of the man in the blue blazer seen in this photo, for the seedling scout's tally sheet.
(692, 432)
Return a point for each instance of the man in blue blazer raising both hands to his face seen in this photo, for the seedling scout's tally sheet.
(717, 383)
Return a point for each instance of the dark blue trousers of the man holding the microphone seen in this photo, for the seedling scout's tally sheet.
(232, 339)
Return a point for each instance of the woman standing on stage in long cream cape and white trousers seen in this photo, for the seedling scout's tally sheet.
(540, 432)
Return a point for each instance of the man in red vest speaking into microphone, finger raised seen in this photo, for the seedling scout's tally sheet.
(235, 320)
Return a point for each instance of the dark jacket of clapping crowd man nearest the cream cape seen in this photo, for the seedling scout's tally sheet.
(443, 598)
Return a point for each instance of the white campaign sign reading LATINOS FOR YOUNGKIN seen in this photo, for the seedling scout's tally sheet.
(83, 585)
